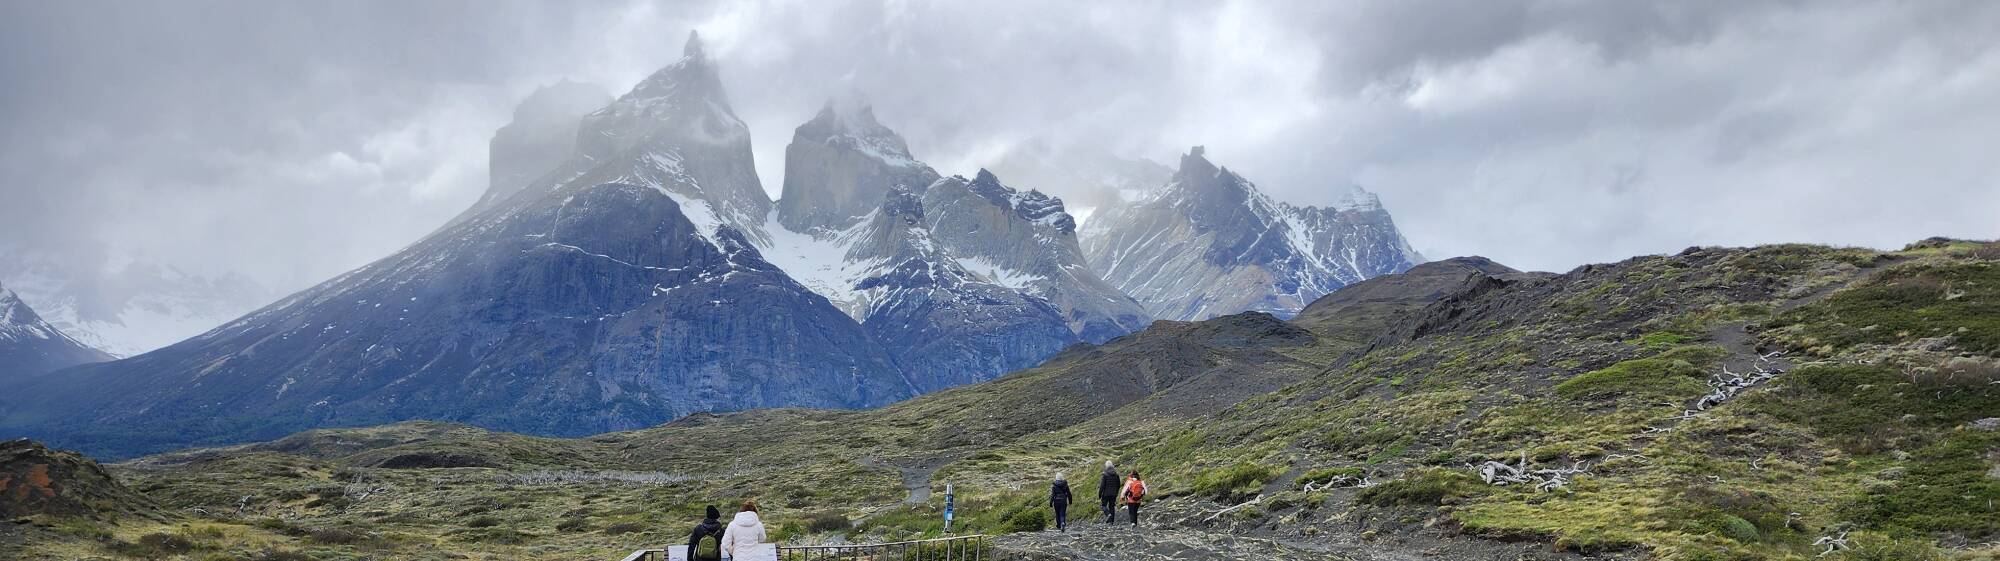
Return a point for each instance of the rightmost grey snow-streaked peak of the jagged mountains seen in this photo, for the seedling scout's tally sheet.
(1211, 243)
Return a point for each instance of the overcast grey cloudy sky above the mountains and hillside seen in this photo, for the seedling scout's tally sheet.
(283, 143)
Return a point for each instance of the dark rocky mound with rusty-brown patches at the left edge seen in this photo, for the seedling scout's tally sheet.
(41, 482)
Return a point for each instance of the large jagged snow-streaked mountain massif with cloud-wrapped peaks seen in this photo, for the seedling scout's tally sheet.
(627, 267)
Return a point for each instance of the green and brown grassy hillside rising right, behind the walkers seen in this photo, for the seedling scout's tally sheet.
(1353, 432)
